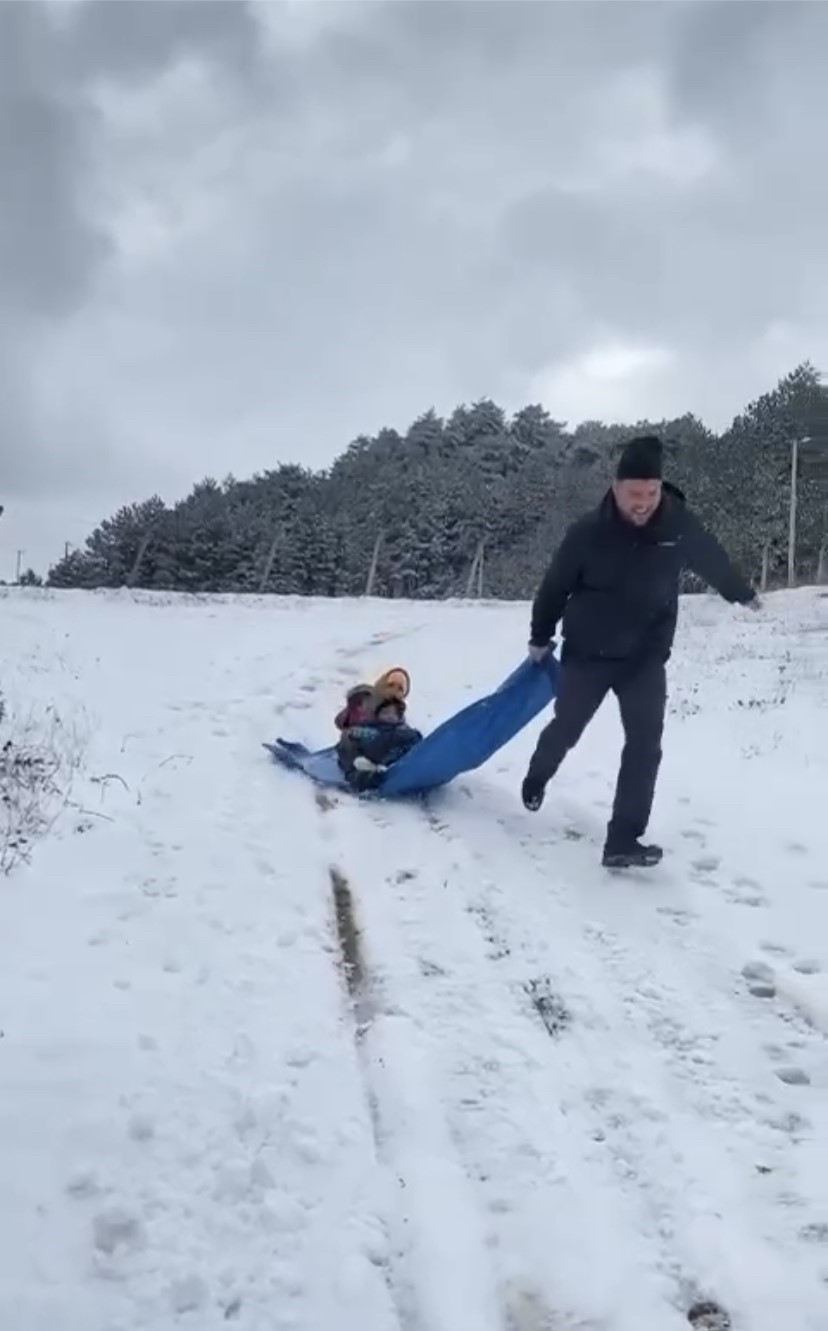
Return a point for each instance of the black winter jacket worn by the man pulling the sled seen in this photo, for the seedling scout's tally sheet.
(617, 586)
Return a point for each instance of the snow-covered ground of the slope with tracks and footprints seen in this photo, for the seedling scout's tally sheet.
(549, 1100)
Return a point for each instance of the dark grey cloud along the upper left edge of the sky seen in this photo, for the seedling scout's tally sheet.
(53, 246)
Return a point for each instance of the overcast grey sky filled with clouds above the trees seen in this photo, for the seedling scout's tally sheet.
(235, 235)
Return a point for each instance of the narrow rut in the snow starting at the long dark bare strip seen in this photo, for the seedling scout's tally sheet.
(437, 1286)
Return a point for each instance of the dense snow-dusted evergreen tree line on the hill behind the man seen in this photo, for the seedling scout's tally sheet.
(469, 505)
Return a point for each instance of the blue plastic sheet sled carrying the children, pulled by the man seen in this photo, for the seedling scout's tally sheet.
(464, 742)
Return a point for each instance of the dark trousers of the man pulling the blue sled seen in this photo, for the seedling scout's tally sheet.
(642, 697)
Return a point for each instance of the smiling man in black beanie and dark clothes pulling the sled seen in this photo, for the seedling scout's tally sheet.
(614, 581)
